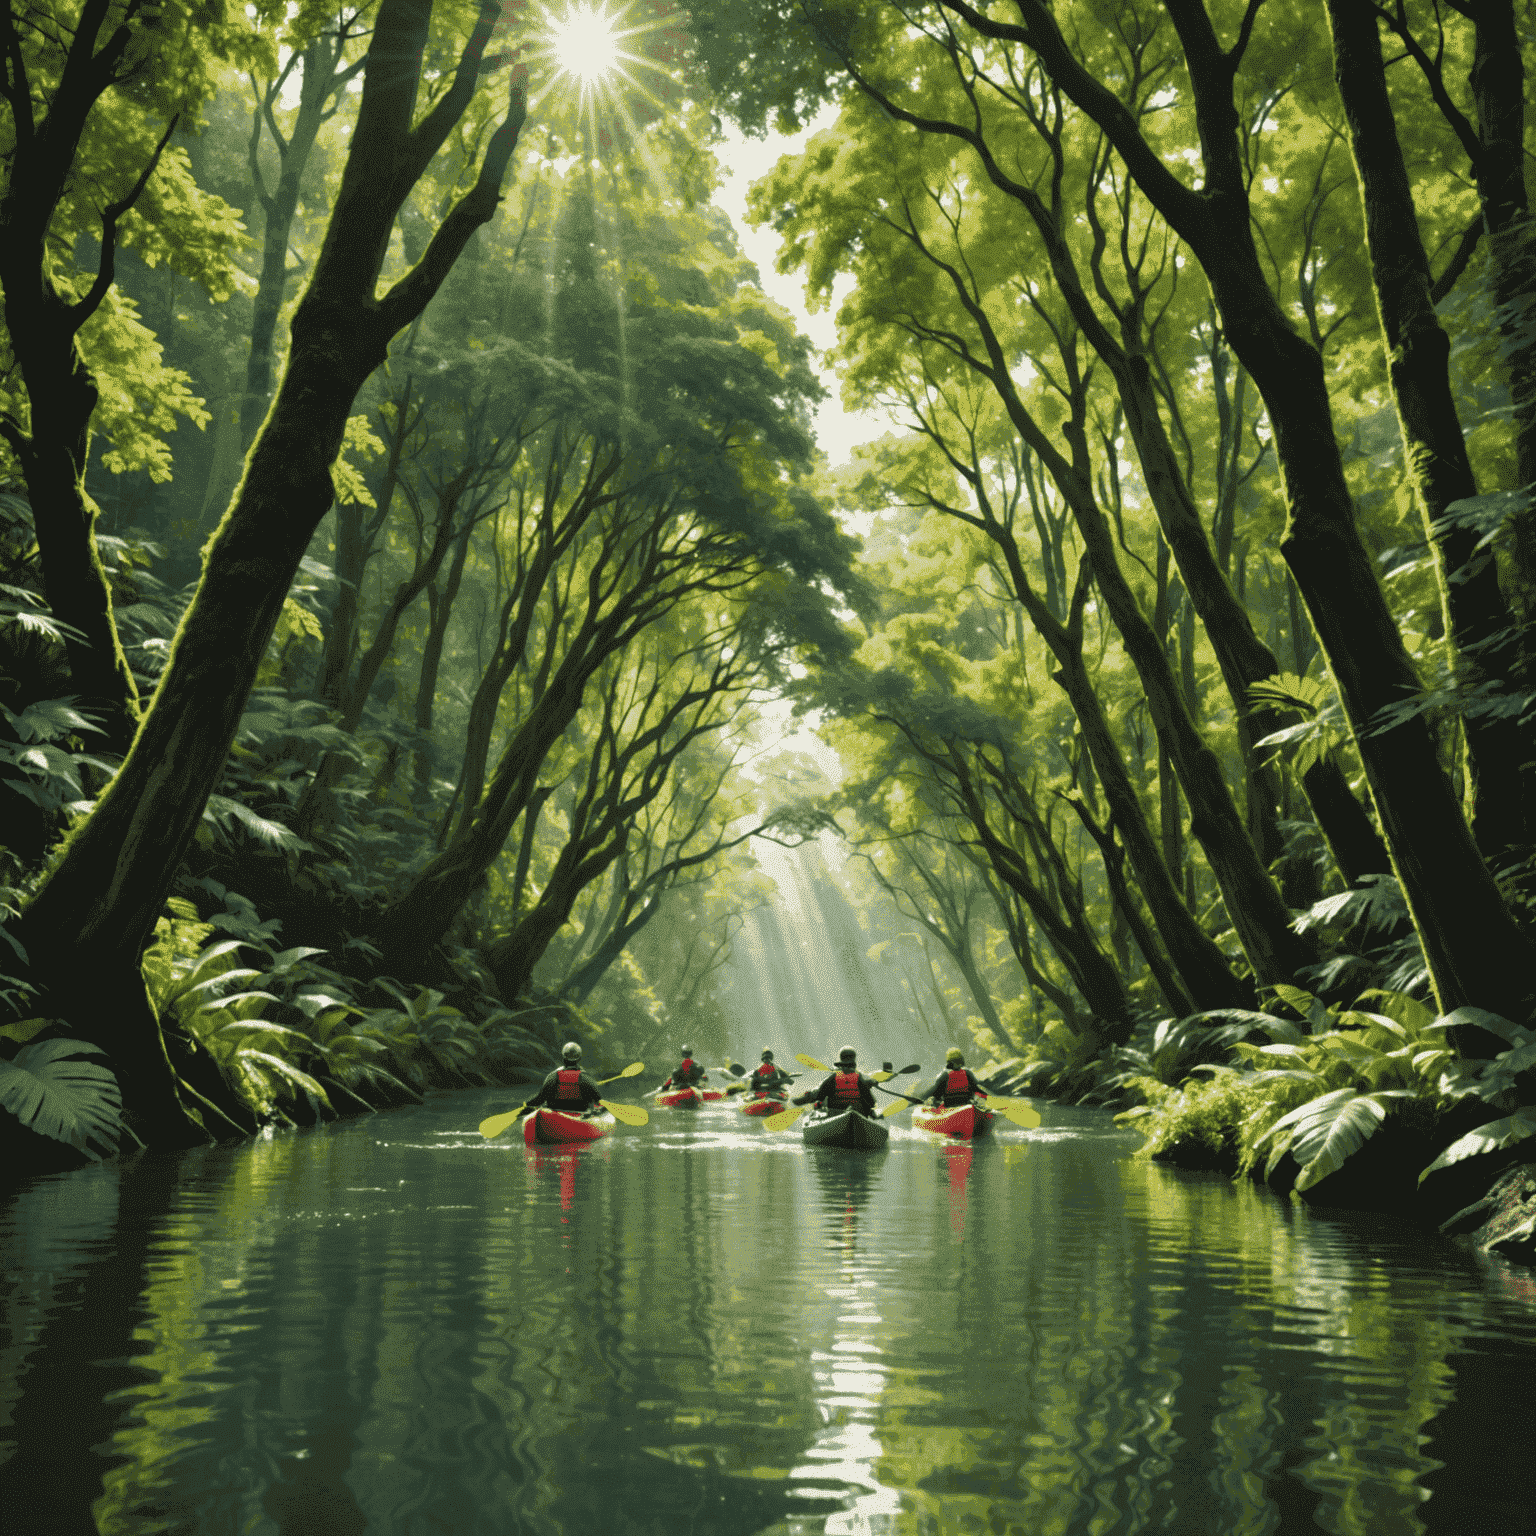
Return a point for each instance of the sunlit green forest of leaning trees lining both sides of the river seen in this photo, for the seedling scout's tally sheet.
(415, 537)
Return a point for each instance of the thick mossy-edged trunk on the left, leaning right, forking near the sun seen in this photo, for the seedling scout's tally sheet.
(98, 909)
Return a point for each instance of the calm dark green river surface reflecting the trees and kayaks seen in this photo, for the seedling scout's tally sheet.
(700, 1328)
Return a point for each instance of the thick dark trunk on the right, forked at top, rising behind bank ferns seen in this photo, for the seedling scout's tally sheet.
(1475, 950)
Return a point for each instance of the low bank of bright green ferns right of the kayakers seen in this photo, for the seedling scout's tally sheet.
(1343, 1117)
